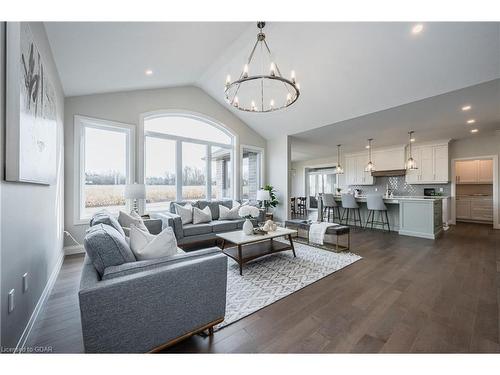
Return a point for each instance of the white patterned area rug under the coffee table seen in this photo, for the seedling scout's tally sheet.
(276, 276)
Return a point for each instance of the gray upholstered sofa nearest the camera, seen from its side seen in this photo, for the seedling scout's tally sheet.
(140, 306)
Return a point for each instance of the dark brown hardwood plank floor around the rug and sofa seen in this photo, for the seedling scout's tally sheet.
(406, 295)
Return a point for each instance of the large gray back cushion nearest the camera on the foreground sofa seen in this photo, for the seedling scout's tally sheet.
(107, 247)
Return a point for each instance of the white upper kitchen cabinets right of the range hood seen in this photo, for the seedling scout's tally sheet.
(432, 163)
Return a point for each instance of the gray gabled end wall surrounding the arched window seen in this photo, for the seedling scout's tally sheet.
(127, 107)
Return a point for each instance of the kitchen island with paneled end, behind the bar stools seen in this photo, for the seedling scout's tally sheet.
(410, 216)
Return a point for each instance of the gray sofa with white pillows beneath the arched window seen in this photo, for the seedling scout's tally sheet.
(191, 233)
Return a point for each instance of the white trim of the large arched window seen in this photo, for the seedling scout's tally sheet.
(188, 114)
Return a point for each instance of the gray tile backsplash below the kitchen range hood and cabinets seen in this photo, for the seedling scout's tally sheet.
(399, 187)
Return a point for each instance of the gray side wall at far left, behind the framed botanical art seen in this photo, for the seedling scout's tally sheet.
(31, 216)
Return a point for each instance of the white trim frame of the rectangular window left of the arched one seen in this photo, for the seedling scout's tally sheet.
(81, 122)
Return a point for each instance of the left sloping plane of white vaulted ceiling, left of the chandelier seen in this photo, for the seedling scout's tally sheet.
(96, 57)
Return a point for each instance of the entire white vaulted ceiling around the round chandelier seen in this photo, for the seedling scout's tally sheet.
(346, 70)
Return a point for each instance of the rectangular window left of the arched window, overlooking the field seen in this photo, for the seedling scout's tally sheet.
(105, 163)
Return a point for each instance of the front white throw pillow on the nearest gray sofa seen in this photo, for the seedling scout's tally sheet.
(145, 245)
